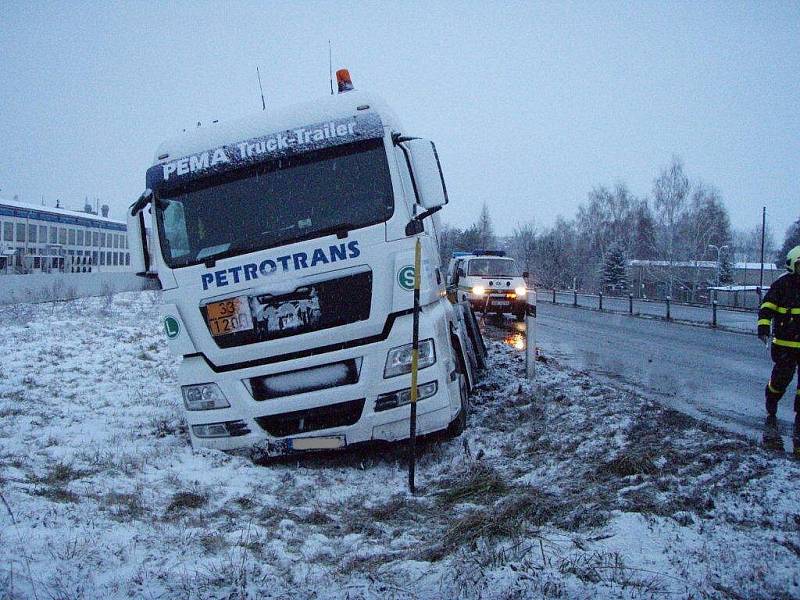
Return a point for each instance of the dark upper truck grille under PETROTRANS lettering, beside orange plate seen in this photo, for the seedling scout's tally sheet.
(308, 308)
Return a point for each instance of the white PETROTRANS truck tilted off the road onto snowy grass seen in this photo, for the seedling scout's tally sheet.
(284, 244)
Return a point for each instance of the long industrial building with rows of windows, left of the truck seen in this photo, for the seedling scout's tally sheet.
(40, 239)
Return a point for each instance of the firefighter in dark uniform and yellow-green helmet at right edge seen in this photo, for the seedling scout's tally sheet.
(780, 311)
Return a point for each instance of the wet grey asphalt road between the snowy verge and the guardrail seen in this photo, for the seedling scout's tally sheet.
(715, 375)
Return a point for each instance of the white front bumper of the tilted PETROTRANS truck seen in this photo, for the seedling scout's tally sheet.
(345, 411)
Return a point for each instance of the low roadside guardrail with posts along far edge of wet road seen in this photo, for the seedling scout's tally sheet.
(711, 315)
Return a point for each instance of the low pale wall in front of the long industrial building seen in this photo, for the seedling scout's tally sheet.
(46, 287)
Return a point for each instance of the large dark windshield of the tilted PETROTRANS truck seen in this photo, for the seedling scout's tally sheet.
(277, 202)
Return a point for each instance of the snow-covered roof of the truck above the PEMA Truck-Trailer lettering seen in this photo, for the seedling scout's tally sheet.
(326, 108)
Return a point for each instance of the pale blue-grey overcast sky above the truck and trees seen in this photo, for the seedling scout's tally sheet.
(530, 104)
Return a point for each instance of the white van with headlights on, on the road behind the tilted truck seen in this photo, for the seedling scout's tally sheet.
(489, 280)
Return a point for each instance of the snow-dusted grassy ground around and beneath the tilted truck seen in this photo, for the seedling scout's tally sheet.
(568, 488)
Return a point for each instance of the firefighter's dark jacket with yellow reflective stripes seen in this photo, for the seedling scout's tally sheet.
(781, 309)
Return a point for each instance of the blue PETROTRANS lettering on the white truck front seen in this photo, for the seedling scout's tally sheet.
(297, 262)
